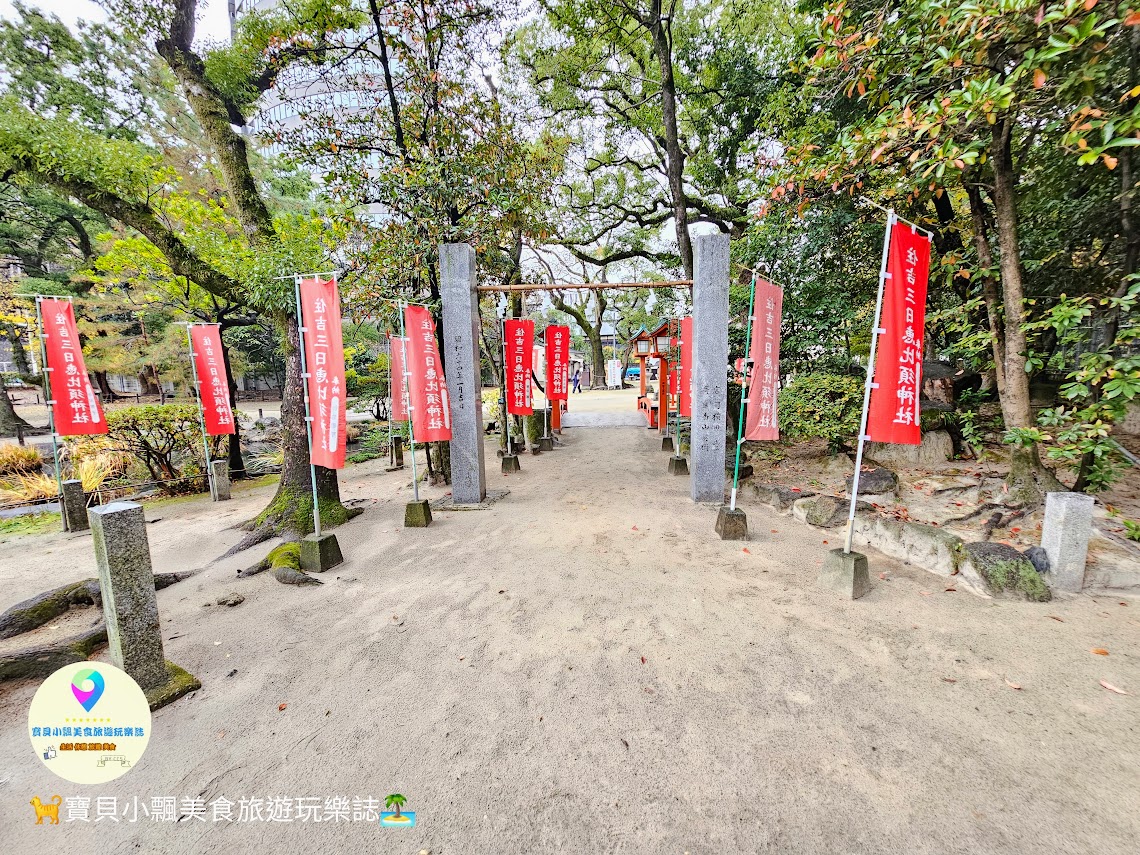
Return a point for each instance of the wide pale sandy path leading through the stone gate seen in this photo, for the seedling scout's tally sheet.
(491, 670)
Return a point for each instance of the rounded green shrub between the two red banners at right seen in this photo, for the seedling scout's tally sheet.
(827, 406)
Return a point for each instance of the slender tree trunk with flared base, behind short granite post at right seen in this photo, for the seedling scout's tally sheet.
(1029, 479)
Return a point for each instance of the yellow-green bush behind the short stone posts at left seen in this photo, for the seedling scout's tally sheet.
(166, 439)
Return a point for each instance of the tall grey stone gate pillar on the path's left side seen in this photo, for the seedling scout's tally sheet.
(461, 356)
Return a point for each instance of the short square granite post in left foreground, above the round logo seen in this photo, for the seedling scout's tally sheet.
(123, 555)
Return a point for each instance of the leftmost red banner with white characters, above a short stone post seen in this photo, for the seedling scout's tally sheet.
(75, 406)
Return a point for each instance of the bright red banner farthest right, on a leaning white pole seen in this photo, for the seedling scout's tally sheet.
(894, 412)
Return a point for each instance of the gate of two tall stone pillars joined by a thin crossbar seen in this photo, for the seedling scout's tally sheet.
(460, 295)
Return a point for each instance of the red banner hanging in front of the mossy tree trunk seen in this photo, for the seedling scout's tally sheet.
(324, 354)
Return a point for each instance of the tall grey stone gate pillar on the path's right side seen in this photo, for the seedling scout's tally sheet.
(711, 365)
